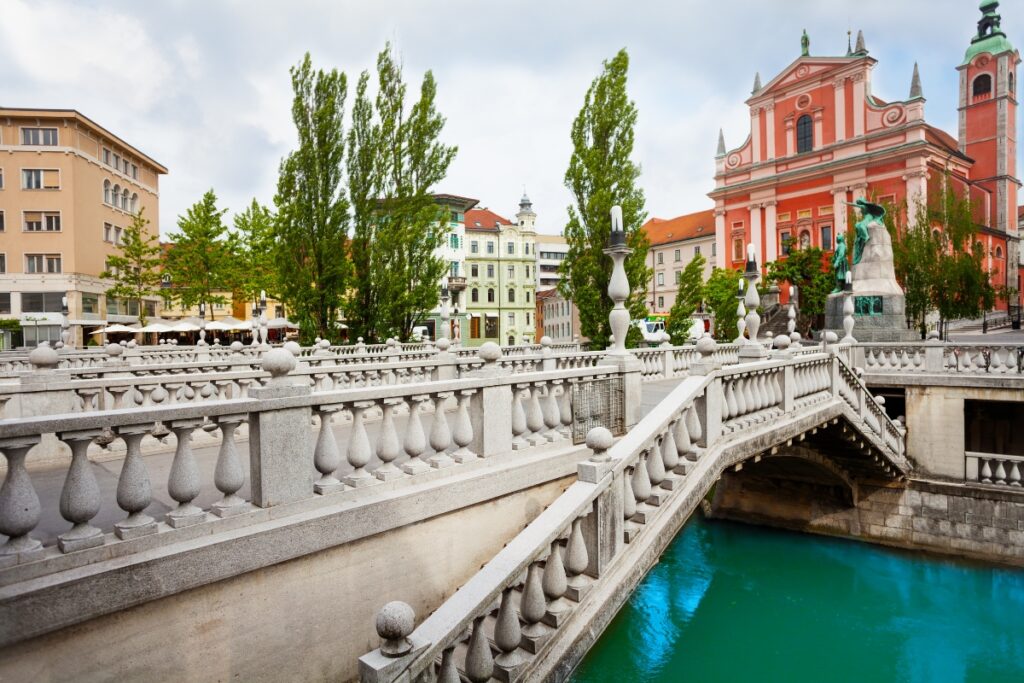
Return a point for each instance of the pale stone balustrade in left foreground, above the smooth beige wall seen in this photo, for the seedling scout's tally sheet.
(493, 413)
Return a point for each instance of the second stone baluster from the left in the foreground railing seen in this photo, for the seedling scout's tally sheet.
(80, 496)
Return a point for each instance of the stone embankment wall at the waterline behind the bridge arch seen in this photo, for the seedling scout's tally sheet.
(973, 522)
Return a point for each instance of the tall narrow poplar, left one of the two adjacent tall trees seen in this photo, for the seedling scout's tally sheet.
(312, 228)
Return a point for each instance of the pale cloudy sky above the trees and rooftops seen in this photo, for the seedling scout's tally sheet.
(203, 86)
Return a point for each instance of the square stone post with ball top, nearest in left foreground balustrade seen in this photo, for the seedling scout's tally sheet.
(281, 448)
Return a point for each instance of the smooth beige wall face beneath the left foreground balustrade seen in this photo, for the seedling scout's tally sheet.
(306, 620)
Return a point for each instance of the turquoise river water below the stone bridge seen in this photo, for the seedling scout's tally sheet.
(733, 603)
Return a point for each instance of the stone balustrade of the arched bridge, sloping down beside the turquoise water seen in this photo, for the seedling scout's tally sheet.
(530, 612)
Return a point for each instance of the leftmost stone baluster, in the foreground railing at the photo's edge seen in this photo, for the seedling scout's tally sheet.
(19, 503)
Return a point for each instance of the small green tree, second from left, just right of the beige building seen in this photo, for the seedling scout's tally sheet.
(202, 263)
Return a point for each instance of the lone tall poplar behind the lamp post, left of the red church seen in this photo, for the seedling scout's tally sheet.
(601, 176)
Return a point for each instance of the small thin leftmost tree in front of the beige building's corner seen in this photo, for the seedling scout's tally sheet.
(137, 269)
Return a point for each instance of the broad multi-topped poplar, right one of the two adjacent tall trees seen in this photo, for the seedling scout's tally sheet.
(408, 227)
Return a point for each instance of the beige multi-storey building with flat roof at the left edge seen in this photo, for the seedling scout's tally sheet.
(68, 189)
